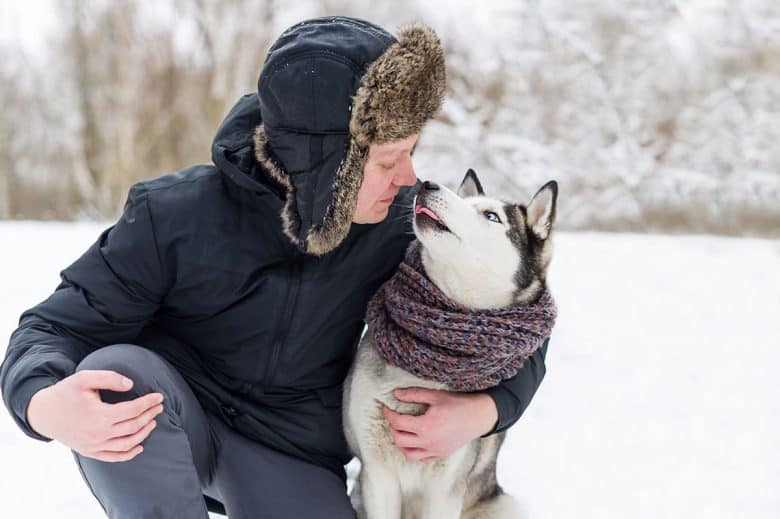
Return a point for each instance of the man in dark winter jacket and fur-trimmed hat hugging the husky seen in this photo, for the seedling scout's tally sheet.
(199, 346)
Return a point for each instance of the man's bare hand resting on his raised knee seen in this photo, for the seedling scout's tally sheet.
(72, 413)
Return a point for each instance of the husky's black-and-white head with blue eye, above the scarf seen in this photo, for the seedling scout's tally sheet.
(481, 252)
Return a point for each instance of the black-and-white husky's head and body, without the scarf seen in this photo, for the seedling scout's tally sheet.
(483, 254)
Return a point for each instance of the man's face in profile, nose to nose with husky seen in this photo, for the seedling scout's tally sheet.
(389, 166)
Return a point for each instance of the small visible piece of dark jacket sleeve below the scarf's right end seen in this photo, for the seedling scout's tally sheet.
(513, 395)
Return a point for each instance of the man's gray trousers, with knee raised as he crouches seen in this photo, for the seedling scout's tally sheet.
(191, 453)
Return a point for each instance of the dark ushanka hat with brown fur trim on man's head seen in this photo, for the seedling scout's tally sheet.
(329, 88)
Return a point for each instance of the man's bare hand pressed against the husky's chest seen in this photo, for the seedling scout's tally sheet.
(451, 421)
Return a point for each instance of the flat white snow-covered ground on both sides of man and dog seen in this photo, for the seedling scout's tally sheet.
(661, 398)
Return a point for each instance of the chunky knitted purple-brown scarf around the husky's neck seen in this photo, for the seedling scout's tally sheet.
(422, 331)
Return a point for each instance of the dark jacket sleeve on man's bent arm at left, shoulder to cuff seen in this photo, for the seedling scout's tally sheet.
(105, 297)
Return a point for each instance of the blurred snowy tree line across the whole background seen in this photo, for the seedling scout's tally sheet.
(653, 115)
